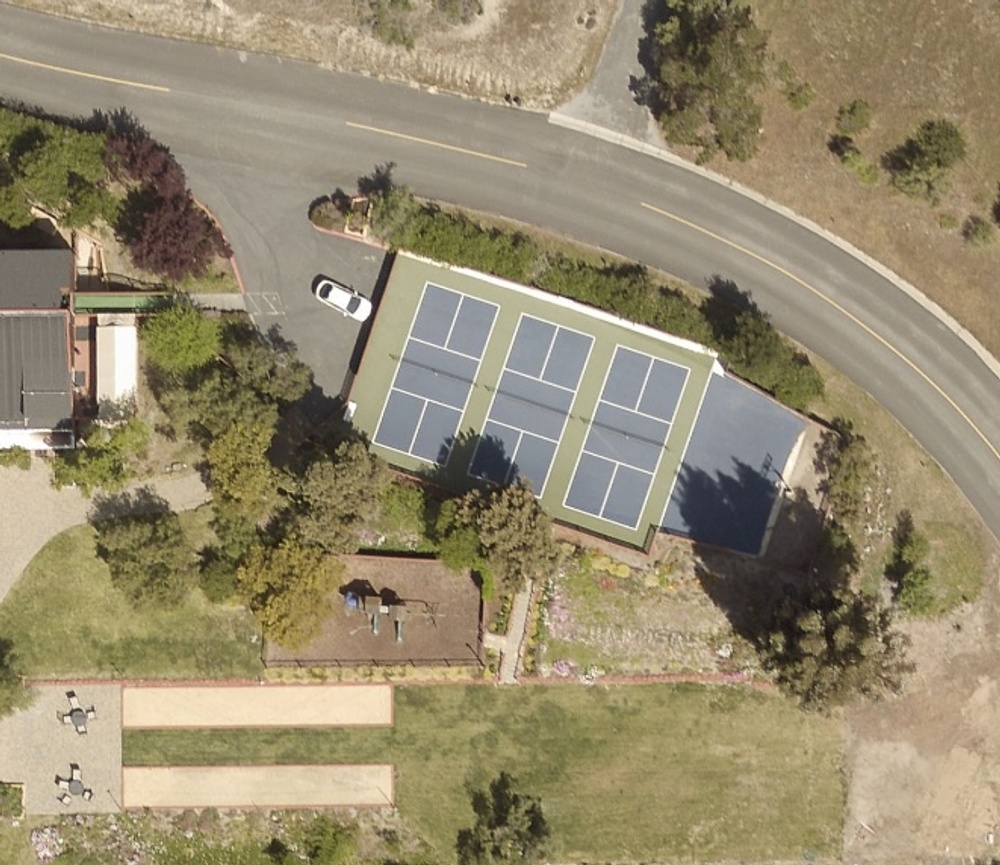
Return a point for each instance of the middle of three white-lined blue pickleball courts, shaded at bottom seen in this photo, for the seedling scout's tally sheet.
(531, 403)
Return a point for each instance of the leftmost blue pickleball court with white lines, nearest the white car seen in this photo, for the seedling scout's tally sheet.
(436, 373)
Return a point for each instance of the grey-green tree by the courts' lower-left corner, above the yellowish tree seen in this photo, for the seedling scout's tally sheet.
(336, 495)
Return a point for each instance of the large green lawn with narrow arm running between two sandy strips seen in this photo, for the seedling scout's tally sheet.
(624, 773)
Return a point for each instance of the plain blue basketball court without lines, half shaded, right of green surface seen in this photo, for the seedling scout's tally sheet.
(731, 473)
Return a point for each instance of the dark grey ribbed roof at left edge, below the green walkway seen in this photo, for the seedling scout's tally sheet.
(35, 387)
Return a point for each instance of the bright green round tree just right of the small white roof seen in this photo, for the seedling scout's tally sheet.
(180, 338)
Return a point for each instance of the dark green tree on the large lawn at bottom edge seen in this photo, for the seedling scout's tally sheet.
(510, 827)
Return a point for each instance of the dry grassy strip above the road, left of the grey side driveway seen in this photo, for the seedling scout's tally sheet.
(537, 51)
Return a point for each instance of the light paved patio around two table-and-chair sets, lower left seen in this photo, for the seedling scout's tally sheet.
(35, 747)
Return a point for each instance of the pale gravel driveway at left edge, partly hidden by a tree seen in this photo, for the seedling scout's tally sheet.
(32, 512)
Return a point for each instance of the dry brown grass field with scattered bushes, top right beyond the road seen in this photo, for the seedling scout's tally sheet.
(911, 61)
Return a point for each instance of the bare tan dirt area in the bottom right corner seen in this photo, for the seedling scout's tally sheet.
(925, 768)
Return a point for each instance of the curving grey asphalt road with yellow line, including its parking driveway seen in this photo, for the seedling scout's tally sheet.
(261, 136)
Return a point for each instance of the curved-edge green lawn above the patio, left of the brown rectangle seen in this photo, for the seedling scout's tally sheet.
(66, 619)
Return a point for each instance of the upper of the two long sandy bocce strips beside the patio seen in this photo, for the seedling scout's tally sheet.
(253, 705)
